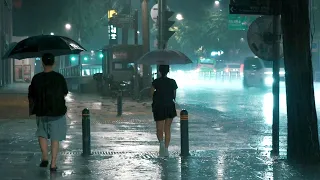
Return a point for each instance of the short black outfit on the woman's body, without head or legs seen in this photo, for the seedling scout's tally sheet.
(163, 105)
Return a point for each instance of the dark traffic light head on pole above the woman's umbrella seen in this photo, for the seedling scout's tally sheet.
(167, 26)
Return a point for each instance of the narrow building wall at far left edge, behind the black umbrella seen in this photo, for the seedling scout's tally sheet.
(6, 65)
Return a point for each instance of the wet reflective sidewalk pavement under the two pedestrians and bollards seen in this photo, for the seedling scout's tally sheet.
(126, 148)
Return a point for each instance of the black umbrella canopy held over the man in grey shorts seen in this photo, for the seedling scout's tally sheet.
(36, 46)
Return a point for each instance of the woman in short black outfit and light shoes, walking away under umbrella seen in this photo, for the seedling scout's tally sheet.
(163, 107)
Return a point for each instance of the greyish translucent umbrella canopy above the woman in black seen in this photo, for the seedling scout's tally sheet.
(164, 57)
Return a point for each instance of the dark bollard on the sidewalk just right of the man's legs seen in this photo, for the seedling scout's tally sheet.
(86, 135)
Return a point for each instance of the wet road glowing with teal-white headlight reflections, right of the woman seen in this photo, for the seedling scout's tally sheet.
(245, 114)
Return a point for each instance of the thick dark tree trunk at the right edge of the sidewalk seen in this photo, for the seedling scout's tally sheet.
(303, 142)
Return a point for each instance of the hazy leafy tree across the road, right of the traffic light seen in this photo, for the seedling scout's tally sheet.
(208, 32)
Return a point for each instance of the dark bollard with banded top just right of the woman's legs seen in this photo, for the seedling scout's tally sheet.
(184, 130)
